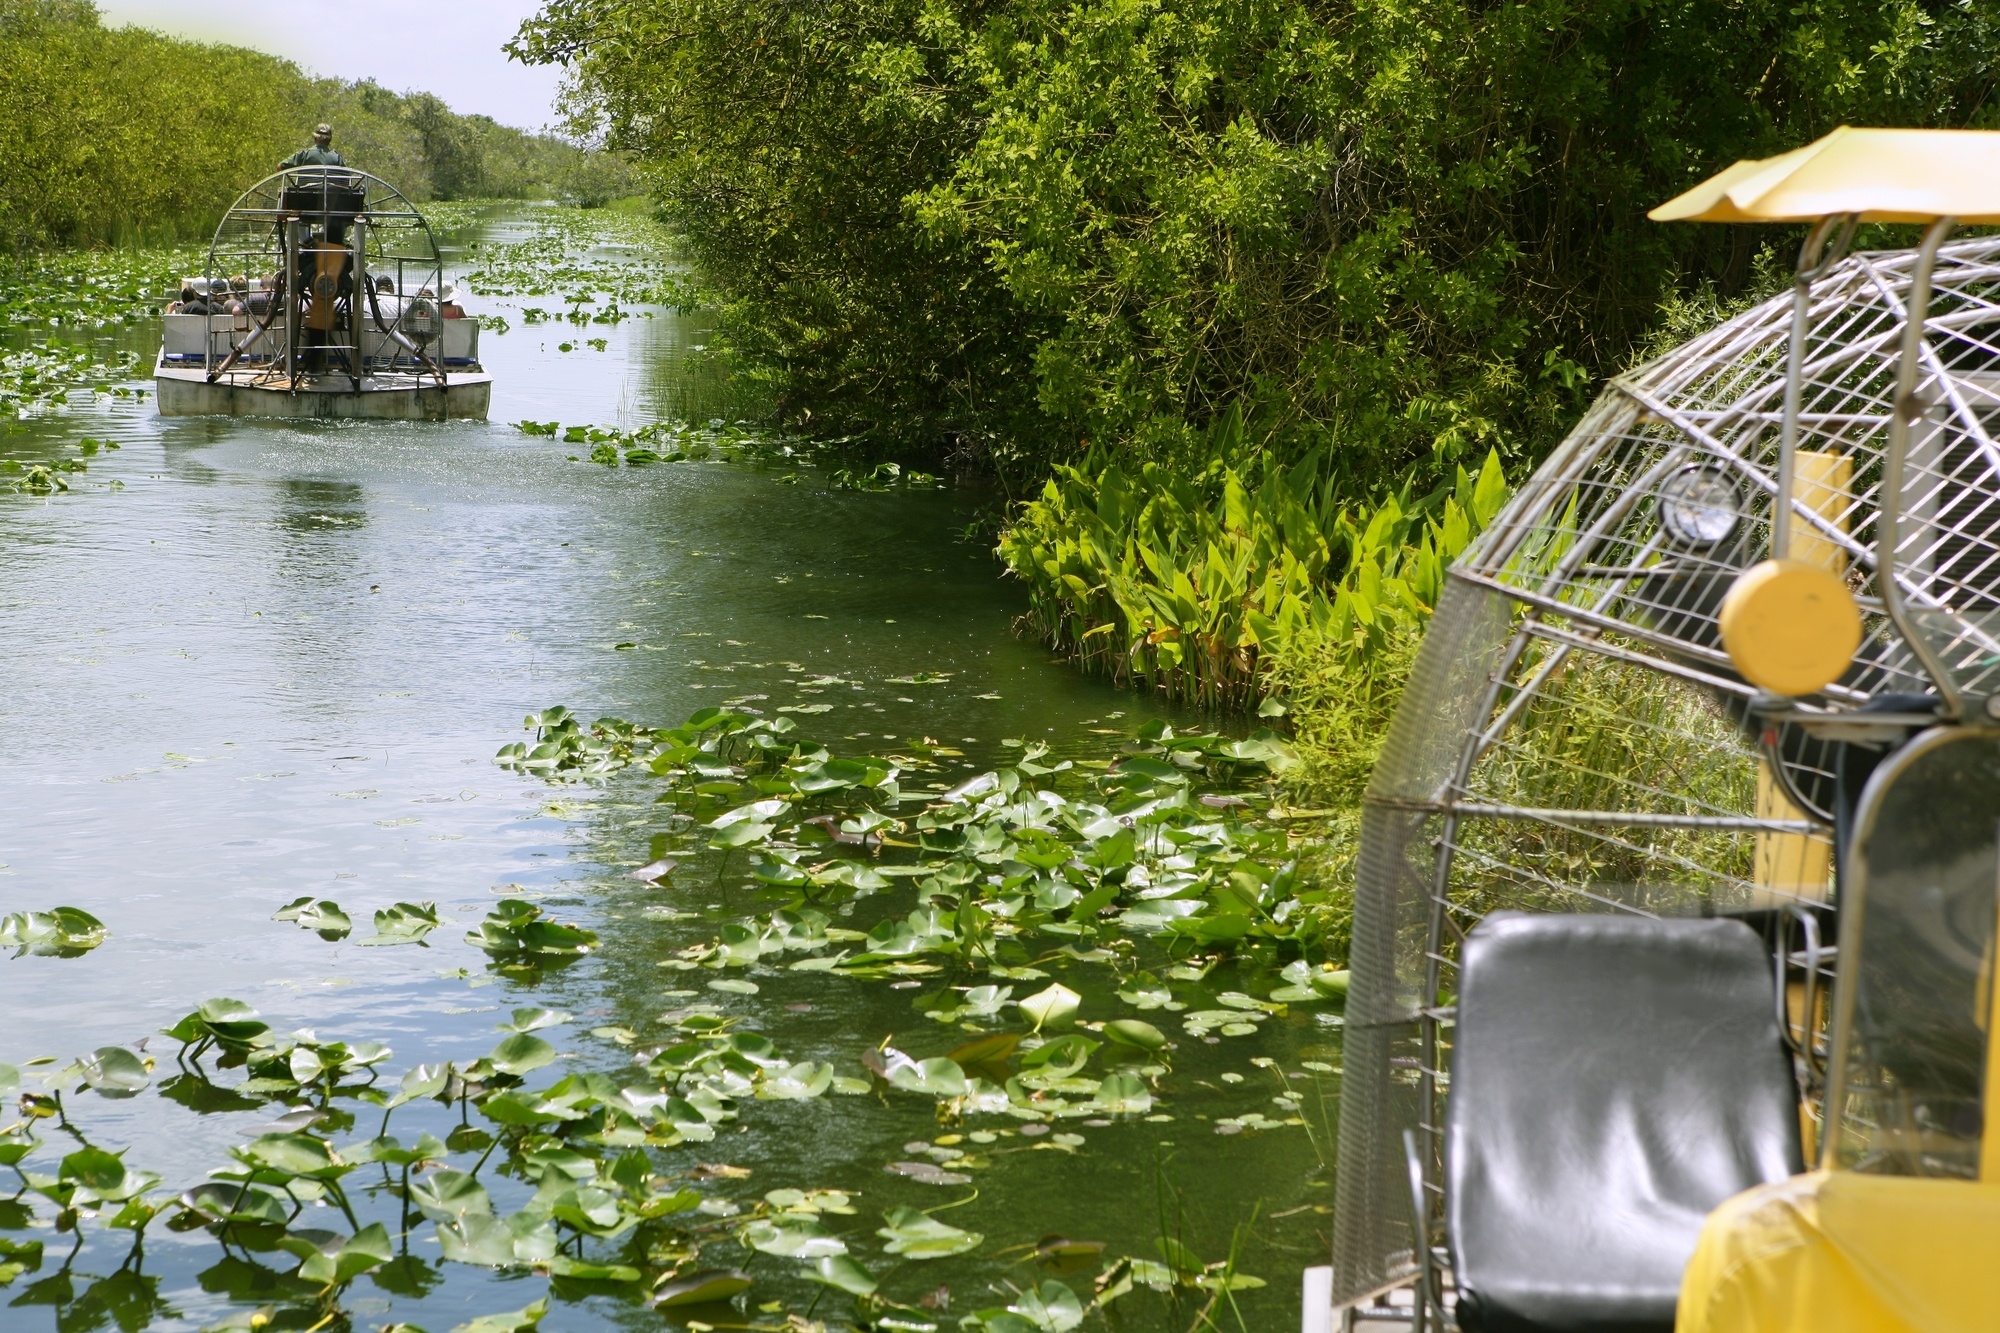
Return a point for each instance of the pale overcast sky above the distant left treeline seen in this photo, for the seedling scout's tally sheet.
(445, 47)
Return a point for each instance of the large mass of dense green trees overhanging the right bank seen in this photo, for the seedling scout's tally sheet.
(1393, 235)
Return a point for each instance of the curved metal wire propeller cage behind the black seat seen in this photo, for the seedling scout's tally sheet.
(1575, 736)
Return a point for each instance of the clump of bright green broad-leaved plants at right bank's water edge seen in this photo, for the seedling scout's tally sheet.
(1197, 587)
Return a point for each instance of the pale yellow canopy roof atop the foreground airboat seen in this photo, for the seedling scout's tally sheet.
(1881, 175)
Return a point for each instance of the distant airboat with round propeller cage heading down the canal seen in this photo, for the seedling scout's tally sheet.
(323, 297)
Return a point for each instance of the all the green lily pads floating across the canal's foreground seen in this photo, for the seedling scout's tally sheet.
(529, 1160)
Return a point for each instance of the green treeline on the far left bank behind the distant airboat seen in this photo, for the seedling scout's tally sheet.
(121, 133)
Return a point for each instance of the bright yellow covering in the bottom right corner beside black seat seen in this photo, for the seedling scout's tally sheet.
(1847, 1254)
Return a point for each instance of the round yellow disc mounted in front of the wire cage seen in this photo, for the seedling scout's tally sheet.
(1791, 627)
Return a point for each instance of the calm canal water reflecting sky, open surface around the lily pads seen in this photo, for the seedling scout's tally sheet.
(253, 661)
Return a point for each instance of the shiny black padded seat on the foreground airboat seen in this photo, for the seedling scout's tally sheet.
(1613, 1082)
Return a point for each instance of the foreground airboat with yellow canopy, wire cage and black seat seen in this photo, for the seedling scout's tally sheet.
(1675, 936)
